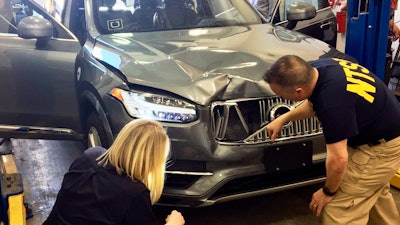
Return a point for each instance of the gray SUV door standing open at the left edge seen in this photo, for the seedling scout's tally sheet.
(37, 83)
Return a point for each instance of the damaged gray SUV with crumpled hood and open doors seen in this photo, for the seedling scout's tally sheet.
(80, 70)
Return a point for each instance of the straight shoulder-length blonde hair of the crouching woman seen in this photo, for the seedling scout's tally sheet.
(140, 150)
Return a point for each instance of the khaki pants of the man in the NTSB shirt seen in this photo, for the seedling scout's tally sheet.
(364, 196)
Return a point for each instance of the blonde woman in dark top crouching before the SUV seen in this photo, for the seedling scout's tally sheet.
(118, 185)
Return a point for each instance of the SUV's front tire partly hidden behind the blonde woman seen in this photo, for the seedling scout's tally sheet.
(95, 134)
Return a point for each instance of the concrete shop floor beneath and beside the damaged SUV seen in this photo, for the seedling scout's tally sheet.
(43, 163)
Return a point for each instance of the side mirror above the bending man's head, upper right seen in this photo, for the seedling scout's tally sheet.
(299, 11)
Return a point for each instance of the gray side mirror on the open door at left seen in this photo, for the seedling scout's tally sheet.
(35, 27)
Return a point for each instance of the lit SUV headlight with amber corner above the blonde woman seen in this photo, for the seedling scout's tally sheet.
(157, 107)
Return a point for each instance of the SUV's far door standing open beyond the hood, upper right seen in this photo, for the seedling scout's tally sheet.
(323, 26)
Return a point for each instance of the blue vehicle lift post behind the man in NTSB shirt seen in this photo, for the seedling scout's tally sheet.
(367, 33)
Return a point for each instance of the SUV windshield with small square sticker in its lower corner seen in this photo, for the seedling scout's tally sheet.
(116, 16)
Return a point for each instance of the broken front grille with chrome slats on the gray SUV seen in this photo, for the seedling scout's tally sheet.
(244, 120)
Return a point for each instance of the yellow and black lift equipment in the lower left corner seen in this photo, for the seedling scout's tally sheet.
(13, 210)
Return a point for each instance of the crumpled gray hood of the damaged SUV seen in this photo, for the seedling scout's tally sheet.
(206, 64)
